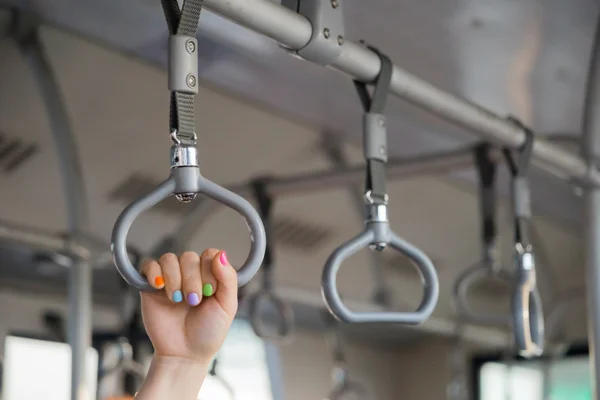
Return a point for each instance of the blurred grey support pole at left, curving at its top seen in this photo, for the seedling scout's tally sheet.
(79, 321)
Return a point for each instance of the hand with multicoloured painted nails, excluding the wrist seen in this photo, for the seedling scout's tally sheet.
(190, 318)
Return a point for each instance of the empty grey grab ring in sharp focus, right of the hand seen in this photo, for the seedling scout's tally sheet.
(371, 236)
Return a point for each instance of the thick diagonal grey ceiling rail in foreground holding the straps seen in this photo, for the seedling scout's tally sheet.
(294, 31)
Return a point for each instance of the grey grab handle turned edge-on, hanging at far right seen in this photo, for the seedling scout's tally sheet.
(528, 316)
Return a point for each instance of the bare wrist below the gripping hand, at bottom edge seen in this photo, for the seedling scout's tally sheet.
(173, 377)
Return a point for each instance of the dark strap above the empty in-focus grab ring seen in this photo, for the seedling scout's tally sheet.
(376, 178)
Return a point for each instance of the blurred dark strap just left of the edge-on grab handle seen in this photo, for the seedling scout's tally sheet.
(486, 169)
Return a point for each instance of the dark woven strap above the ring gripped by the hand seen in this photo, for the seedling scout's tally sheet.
(182, 21)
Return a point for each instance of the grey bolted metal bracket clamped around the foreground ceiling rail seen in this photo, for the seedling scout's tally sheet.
(327, 20)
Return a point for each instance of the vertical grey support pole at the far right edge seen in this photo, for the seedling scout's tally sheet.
(591, 151)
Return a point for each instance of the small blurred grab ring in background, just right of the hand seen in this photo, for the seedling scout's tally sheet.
(285, 316)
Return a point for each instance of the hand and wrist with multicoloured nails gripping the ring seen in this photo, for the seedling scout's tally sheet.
(188, 321)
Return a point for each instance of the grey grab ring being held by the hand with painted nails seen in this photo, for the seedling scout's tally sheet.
(187, 180)
